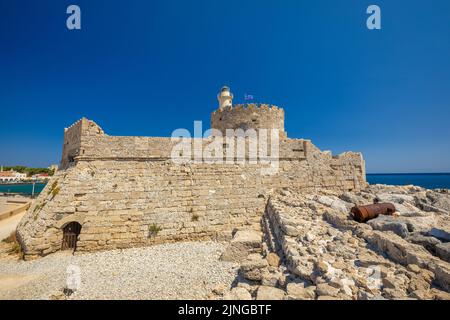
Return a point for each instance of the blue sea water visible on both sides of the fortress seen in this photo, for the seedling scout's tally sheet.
(426, 180)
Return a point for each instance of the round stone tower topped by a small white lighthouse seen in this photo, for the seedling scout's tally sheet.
(250, 116)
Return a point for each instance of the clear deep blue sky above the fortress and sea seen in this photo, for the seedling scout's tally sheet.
(149, 67)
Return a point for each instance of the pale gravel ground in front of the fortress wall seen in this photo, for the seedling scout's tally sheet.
(187, 270)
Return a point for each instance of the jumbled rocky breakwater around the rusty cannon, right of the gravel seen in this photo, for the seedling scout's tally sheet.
(312, 248)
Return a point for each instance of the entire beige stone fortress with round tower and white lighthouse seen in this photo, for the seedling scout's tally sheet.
(119, 192)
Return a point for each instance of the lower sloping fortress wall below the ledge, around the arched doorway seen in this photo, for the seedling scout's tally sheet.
(117, 201)
